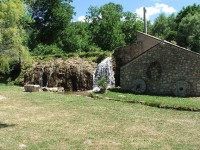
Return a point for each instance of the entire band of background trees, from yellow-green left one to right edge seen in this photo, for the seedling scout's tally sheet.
(46, 27)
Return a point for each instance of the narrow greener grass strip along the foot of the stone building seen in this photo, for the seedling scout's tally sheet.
(167, 102)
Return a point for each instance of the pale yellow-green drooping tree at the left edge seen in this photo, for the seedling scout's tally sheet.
(12, 50)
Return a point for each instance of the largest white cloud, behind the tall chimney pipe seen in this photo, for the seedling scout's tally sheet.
(156, 9)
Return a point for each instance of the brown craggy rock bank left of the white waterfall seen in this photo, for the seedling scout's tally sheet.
(73, 74)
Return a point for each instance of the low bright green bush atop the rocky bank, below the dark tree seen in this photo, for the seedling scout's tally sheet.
(47, 50)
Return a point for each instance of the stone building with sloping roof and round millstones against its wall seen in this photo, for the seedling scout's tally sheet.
(161, 68)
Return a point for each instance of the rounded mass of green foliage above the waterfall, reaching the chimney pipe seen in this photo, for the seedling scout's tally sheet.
(111, 27)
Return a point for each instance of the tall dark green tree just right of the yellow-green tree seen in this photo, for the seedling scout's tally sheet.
(50, 19)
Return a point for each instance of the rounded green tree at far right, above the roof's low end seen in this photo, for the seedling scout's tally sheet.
(187, 26)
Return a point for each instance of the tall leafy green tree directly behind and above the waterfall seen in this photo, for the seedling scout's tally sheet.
(105, 26)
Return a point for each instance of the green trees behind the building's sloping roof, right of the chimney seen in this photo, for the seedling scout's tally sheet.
(182, 29)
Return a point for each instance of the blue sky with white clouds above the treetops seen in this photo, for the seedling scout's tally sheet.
(153, 7)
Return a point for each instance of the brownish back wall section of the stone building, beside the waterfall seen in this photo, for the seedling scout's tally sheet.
(123, 55)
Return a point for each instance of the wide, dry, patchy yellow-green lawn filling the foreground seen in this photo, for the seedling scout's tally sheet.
(57, 121)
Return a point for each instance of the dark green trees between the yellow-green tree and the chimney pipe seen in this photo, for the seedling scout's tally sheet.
(105, 27)
